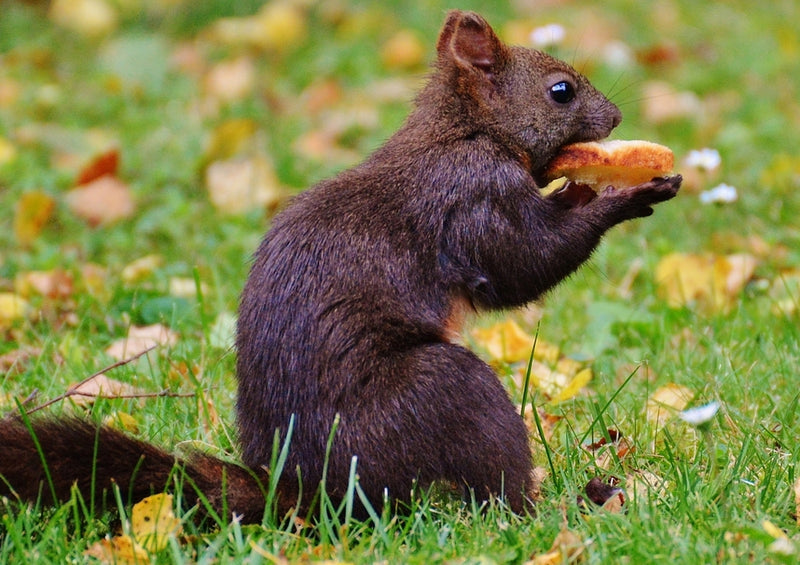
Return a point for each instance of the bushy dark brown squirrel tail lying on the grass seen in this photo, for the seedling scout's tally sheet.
(45, 461)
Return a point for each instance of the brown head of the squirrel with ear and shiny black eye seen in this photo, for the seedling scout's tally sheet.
(529, 99)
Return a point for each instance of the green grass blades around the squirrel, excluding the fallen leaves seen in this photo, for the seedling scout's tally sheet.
(715, 495)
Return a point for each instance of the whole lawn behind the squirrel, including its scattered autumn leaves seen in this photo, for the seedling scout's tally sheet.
(202, 119)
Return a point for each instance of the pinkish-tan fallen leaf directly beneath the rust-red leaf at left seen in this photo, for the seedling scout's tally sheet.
(101, 201)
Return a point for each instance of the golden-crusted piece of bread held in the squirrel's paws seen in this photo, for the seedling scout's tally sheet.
(617, 163)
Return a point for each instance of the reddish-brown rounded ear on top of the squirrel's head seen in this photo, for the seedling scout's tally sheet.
(469, 41)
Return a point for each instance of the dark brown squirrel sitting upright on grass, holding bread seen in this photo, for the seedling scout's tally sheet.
(355, 295)
